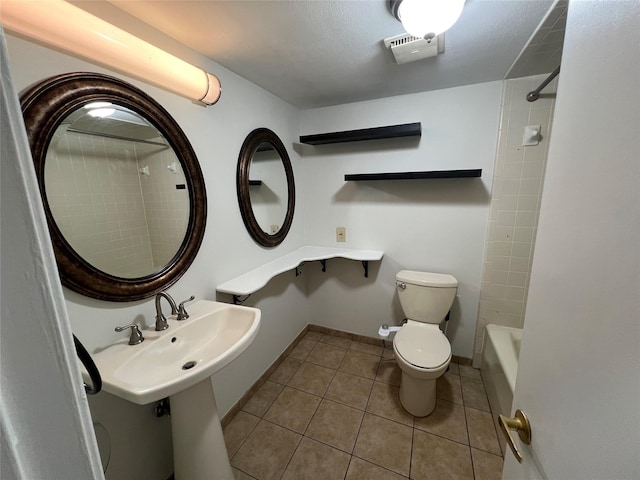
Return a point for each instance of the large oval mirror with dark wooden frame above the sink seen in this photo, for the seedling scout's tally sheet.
(122, 189)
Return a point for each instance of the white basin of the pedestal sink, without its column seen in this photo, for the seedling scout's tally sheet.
(175, 359)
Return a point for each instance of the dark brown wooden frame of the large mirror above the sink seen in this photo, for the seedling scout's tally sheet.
(44, 107)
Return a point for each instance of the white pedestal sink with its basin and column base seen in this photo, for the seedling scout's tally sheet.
(178, 363)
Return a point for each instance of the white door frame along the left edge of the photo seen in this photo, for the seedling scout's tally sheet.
(45, 424)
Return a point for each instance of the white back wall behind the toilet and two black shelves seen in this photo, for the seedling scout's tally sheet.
(430, 225)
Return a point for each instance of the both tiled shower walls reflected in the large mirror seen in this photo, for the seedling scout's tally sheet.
(107, 210)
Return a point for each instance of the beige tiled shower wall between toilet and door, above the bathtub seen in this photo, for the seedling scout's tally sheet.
(515, 202)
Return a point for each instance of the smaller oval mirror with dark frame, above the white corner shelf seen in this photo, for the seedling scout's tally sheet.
(266, 190)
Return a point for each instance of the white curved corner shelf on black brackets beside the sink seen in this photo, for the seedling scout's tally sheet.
(257, 278)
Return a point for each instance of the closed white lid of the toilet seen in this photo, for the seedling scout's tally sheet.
(424, 347)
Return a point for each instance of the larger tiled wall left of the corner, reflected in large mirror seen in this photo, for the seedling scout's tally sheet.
(97, 203)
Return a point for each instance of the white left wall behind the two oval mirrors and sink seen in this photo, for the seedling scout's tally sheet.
(216, 134)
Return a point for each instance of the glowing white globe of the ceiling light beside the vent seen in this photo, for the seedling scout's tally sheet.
(426, 18)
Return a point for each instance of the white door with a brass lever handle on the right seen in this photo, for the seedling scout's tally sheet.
(579, 374)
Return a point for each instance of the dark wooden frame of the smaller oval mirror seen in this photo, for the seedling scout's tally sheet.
(249, 148)
